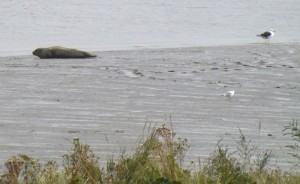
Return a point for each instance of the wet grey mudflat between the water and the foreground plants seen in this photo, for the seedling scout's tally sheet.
(107, 101)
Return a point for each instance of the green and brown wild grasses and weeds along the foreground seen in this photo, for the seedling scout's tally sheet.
(158, 160)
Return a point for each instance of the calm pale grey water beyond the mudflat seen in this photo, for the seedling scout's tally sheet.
(97, 25)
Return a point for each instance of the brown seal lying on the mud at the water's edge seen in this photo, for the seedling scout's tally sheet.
(61, 52)
